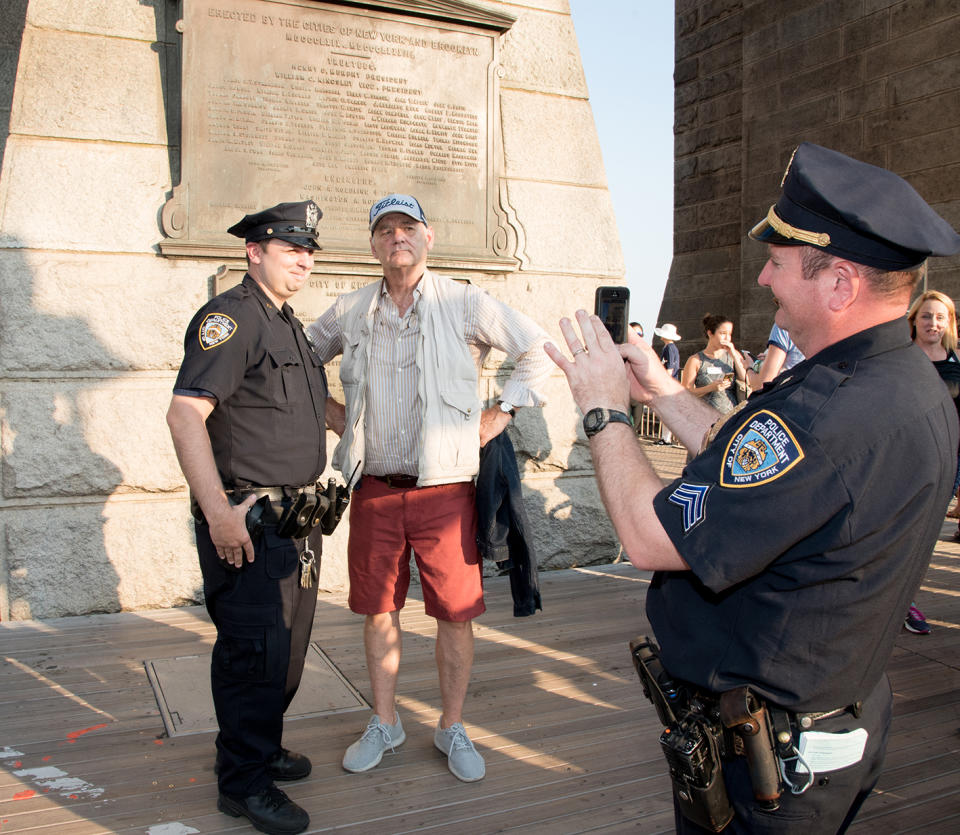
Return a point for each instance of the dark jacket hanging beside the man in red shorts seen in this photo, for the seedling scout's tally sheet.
(502, 527)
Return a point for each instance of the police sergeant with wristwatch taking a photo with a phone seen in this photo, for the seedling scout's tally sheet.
(788, 550)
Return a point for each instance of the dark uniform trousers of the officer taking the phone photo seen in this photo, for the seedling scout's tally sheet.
(835, 797)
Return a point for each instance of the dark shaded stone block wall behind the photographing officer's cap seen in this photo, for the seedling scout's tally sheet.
(876, 79)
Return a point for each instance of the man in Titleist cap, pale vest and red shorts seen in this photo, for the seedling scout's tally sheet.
(412, 427)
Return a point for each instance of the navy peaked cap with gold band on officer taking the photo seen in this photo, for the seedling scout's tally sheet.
(855, 211)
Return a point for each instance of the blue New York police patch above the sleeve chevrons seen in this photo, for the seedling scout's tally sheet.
(762, 449)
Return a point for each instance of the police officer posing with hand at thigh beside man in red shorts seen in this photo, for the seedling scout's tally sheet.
(248, 424)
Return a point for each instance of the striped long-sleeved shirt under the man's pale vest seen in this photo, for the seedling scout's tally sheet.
(393, 414)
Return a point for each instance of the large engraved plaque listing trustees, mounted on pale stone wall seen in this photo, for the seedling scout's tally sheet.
(296, 99)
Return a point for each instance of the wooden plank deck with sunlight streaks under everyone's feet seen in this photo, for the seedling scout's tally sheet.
(554, 706)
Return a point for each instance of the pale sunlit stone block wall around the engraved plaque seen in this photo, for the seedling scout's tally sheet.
(93, 508)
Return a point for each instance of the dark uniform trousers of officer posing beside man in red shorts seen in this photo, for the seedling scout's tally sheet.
(263, 621)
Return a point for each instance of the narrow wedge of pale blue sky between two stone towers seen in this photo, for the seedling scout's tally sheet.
(626, 47)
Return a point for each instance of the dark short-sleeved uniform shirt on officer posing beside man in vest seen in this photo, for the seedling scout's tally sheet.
(269, 425)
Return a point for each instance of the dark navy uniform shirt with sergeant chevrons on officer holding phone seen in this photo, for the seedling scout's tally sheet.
(808, 523)
